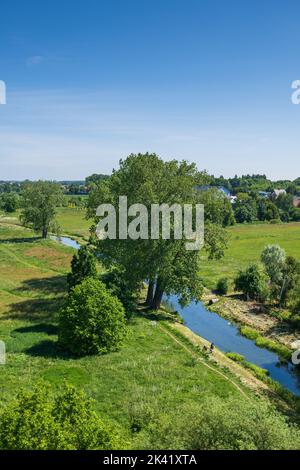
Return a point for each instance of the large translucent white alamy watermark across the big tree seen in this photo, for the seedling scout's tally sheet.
(136, 222)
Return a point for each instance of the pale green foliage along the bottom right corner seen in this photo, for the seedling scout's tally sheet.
(218, 424)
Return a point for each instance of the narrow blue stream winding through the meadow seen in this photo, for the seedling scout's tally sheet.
(227, 338)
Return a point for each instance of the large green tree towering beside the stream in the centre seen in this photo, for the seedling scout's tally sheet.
(165, 263)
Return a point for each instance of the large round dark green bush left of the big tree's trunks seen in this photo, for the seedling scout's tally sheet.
(92, 321)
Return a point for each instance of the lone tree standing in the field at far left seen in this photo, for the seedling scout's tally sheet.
(39, 202)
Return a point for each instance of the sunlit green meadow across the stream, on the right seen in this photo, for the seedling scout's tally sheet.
(245, 246)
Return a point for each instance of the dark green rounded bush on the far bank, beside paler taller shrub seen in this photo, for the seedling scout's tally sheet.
(252, 282)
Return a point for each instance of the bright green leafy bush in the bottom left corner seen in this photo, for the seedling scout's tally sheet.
(39, 421)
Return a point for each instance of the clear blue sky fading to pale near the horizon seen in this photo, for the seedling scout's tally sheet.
(204, 80)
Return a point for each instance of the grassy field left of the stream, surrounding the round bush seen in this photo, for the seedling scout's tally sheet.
(150, 367)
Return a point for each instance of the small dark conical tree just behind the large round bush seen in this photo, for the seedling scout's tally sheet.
(83, 265)
